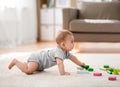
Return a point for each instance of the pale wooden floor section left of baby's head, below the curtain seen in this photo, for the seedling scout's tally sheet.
(28, 48)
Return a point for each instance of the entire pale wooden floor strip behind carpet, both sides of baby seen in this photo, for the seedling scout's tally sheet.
(79, 47)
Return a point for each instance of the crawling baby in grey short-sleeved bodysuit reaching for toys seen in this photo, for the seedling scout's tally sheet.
(47, 58)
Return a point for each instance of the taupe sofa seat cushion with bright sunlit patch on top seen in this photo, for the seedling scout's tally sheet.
(98, 26)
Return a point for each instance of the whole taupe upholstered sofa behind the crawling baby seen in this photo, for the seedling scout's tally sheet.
(94, 21)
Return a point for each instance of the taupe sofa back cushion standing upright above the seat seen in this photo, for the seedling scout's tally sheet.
(99, 10)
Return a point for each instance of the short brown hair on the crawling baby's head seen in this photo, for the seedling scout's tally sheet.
(62, 36)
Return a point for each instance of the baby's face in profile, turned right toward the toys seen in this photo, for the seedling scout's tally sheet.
(69, 43)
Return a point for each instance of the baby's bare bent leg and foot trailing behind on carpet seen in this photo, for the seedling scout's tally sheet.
(27, 68)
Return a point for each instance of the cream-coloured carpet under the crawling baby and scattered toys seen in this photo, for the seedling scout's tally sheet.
(51, 78)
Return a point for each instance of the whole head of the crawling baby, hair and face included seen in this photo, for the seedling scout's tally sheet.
(65, 40)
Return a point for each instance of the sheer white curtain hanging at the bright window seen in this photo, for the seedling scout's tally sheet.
(18, 22)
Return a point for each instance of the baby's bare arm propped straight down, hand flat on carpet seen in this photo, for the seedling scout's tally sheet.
(61, 67)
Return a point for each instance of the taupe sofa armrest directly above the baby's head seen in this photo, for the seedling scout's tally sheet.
(69, 14)
